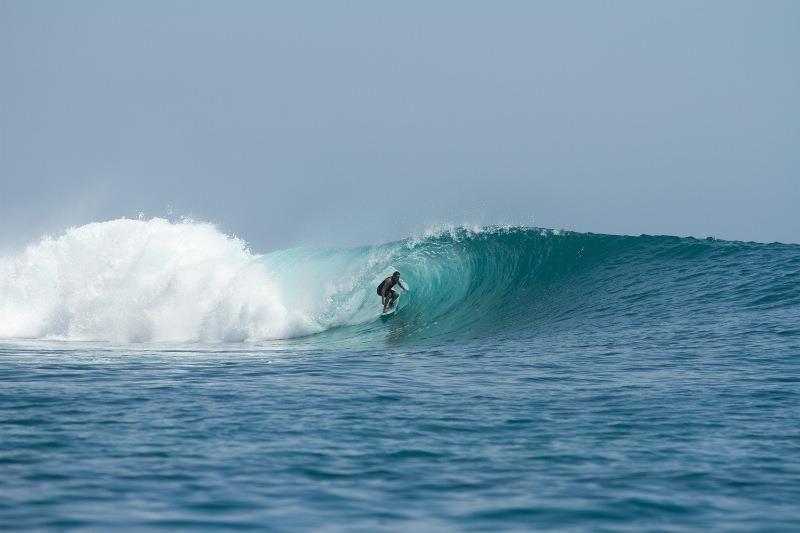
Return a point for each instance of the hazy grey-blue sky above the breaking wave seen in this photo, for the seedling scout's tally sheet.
(344, 122)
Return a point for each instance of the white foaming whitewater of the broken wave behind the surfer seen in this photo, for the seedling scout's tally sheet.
(155, 280)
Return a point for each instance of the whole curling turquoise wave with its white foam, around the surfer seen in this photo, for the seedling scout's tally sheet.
(155, 280)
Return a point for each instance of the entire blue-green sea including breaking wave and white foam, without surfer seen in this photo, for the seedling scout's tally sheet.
(160, 375)
